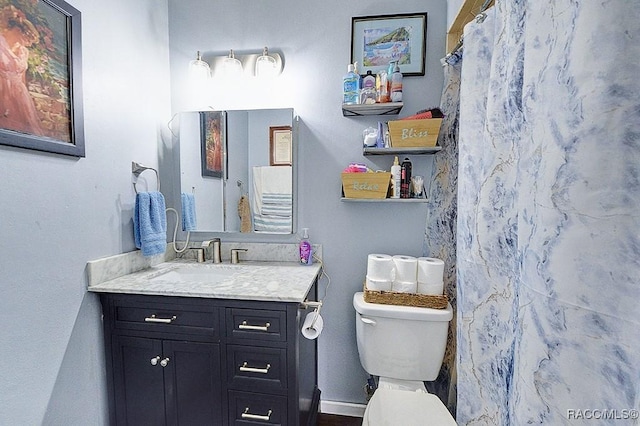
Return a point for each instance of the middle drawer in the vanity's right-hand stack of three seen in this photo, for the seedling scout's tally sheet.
(256, 368)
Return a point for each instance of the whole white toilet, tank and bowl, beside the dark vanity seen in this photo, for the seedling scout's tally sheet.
(404, 346)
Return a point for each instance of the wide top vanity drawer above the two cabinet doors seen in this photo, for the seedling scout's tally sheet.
(169, 318)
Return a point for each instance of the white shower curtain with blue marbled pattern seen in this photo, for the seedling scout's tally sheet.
(548, 230)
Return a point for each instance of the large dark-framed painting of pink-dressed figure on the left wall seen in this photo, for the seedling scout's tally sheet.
(40, 83)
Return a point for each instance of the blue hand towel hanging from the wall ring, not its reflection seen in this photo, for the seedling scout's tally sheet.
(150, 223)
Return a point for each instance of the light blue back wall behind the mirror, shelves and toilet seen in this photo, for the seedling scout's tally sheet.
(315, 39)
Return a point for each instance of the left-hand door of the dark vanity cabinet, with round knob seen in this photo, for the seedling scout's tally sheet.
(138, 381)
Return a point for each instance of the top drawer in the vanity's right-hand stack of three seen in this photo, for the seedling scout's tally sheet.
(256, 324)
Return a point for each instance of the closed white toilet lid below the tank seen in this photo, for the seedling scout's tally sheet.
(392, 407)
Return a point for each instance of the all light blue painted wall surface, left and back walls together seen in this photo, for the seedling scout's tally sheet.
(57, 212)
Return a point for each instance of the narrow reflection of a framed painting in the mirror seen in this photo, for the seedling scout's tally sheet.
(213, 143)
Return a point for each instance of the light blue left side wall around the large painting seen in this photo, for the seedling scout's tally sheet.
(56, 213)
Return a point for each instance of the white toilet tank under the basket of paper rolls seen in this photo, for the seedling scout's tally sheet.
(401, 342)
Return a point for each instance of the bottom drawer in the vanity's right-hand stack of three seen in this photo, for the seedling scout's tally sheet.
(256, 409)
